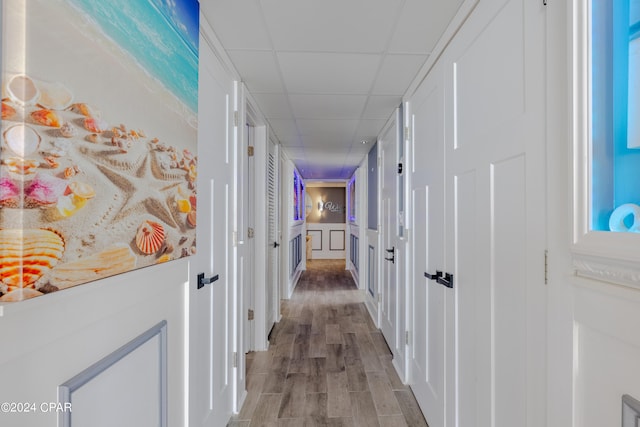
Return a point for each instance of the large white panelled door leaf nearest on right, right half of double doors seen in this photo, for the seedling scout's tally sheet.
(495, 211)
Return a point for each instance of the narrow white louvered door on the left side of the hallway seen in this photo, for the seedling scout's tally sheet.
(273, 241)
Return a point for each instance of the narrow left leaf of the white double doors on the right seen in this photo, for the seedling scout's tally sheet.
(427, 297)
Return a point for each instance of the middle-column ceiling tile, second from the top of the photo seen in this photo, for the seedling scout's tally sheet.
(305, 72)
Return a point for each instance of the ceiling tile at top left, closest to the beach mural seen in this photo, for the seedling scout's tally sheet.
(249, 32)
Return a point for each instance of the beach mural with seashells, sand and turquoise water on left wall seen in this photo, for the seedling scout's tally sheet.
(98, 140)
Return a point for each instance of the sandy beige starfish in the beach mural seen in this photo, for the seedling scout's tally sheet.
(142, 189)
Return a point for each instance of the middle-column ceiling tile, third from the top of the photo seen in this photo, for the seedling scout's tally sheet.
(327, 106)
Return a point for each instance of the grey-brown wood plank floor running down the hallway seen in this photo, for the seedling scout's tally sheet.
(327, 364)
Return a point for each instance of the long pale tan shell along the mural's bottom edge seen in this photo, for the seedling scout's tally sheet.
(113, 260)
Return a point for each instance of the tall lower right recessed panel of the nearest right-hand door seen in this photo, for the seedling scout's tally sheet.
(509, 280)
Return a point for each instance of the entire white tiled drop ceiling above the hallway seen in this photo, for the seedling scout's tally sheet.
(328, 74)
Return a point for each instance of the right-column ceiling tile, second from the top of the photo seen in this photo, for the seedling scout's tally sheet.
(397, 73)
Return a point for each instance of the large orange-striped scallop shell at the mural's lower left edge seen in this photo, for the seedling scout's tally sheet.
(26, 254)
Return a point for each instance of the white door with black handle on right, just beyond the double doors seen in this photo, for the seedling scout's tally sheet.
(388, 283)
